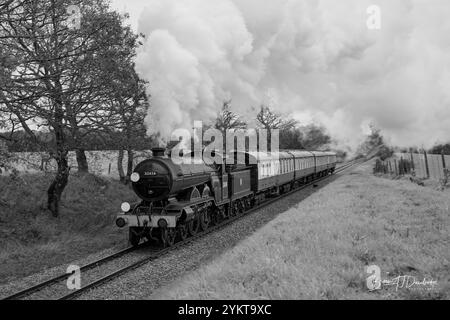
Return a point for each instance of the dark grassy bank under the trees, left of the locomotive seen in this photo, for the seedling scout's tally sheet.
(32, 240)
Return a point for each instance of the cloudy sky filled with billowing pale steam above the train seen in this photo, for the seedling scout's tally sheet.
(315, 60)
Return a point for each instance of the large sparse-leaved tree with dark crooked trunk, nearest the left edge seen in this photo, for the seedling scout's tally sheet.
(55, 76)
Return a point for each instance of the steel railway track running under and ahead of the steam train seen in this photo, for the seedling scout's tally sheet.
(150, 256)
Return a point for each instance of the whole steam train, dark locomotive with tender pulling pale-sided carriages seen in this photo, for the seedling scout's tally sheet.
(179, 200)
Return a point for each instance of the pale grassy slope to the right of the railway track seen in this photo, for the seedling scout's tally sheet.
(319, 250)
